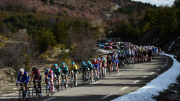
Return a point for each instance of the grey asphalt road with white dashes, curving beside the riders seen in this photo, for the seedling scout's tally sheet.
(129, 79)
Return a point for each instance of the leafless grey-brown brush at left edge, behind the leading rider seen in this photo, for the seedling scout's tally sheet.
(16, 55)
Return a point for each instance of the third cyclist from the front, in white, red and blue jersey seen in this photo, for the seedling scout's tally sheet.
(49, 75)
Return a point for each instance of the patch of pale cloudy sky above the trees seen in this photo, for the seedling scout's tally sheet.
(158, 2)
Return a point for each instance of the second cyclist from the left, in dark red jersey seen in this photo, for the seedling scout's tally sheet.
(36, 75)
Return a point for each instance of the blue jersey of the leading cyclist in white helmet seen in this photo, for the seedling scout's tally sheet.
(24, 77)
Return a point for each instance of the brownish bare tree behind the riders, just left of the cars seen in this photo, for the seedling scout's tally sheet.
(85, 41)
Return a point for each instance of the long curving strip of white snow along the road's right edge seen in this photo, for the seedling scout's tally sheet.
(160, 83)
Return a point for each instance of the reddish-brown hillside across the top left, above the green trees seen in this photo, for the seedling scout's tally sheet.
(86, 9)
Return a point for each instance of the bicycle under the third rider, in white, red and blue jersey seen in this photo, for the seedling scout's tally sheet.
(49, 88)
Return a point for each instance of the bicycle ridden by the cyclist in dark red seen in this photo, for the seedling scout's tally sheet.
(35, 90)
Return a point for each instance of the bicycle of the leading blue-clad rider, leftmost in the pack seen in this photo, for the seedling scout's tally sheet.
(22, 92)
